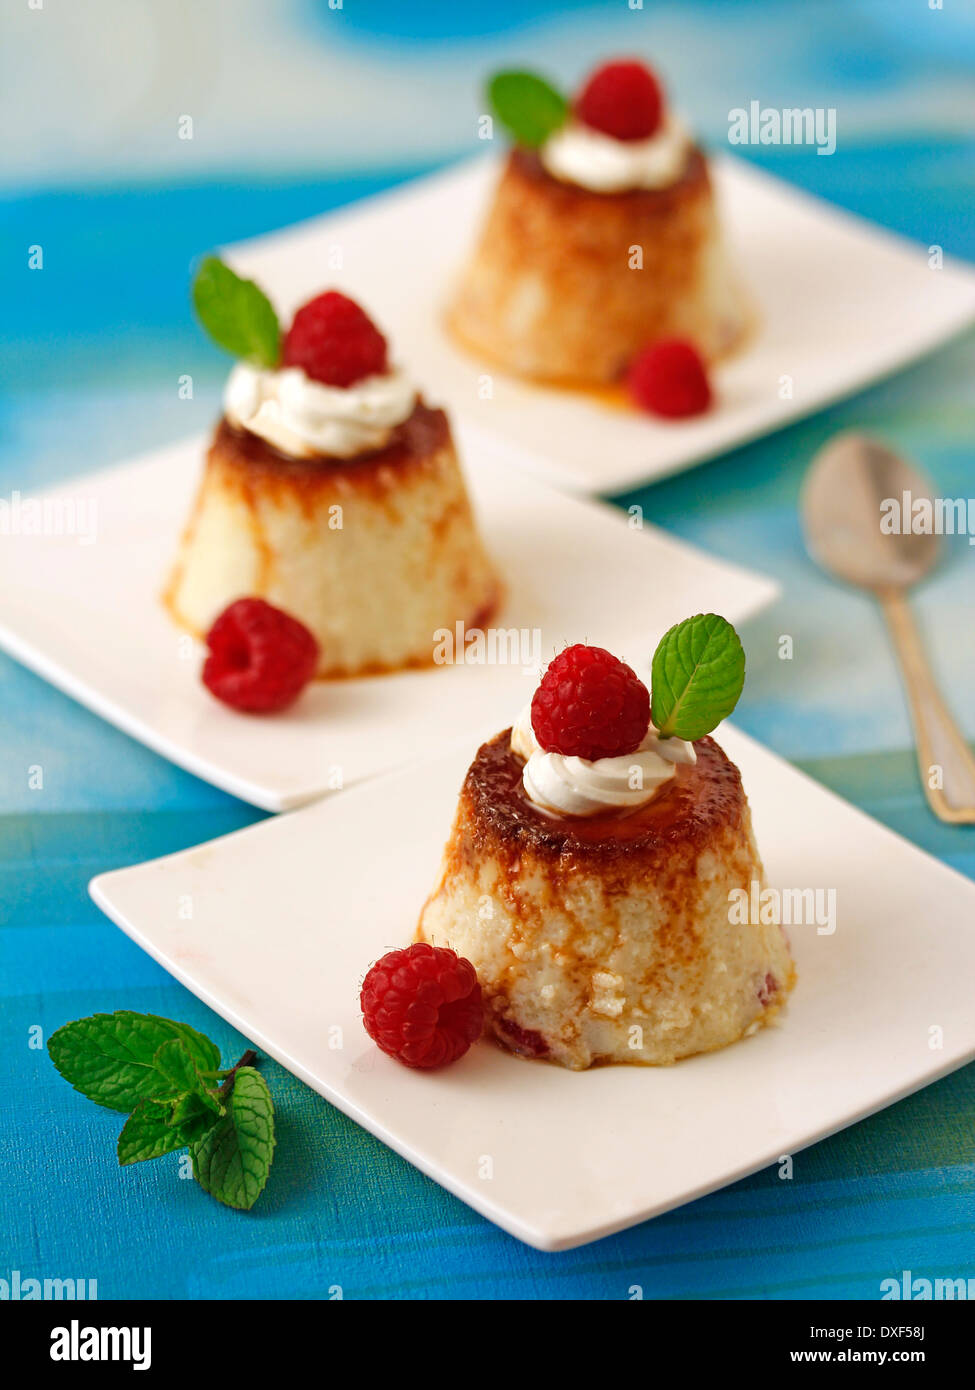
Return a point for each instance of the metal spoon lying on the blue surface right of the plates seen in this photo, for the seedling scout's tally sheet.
(842, 497)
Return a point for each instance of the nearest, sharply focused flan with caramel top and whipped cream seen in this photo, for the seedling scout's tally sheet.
(592, 896)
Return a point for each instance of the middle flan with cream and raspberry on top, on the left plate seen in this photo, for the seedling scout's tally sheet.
(333, 491)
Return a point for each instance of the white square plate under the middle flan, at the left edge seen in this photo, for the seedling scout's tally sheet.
(90, 619)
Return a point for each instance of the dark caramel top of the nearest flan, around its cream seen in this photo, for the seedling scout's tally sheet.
(686, 814)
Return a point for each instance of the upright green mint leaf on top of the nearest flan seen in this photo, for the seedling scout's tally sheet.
(698, 676)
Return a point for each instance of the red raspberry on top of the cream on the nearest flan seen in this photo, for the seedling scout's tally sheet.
(590, 705)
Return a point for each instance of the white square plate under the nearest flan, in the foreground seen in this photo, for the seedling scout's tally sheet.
(571, 1156)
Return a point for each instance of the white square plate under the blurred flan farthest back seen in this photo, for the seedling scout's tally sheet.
(842, 304)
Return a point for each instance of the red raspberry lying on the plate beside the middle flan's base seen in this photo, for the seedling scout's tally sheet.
(261, 660)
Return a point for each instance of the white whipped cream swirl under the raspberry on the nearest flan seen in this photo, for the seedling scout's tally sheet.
(564, 786)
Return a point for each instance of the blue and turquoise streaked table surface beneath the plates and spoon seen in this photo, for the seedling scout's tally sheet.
(91, 354)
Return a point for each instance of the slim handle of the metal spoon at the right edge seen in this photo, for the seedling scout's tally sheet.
(945, 761)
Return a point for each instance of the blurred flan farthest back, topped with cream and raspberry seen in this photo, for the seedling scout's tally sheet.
(603, 238)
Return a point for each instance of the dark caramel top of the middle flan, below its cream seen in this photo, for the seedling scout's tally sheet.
(422, 436)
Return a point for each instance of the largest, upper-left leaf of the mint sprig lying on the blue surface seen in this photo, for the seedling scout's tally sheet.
(111, 1057)
